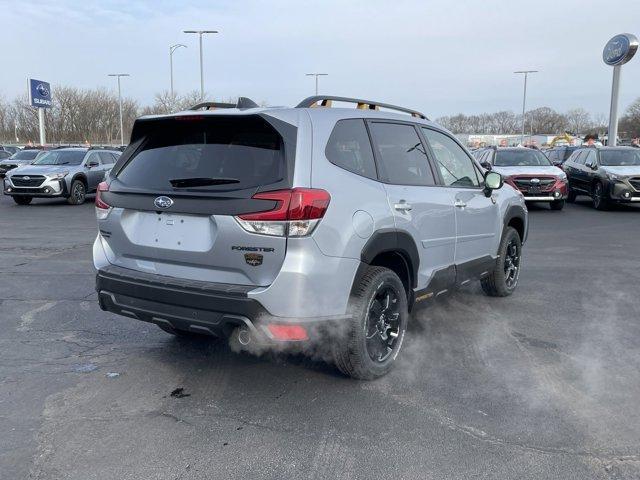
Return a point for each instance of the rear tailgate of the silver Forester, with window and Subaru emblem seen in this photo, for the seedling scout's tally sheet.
(165, 222)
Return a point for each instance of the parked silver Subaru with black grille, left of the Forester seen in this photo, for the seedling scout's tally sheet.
(70, 173)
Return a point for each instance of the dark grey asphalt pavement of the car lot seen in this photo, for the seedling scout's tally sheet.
(542, 384)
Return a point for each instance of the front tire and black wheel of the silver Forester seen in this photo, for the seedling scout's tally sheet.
(504, 279)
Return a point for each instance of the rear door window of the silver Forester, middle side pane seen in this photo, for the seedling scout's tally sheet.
(402, 156)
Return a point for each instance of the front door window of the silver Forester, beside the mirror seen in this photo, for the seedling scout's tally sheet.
(455, 166)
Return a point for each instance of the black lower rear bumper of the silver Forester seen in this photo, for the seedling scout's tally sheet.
(200, 307)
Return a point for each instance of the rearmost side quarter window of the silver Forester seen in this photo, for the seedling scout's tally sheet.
(349, 148)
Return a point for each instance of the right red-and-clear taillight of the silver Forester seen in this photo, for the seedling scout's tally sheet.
(295, 214)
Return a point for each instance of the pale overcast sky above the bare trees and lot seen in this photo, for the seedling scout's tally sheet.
(441, 57)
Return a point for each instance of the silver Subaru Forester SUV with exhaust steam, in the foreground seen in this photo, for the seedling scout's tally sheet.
(312, 226)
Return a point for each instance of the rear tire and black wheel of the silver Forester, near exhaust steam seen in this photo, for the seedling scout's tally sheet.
(375, 331)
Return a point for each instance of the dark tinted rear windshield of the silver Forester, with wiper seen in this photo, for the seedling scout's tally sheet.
(223, 153)
